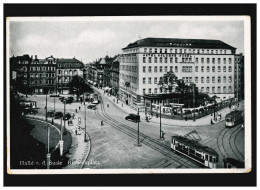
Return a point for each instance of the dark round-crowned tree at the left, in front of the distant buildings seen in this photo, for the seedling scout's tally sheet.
(77, 86)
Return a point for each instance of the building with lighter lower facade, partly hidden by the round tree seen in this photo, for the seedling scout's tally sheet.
(66, 69)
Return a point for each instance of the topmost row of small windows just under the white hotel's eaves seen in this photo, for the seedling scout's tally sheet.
(166, 50)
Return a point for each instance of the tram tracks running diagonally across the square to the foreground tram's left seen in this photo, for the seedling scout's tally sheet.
(159, 147)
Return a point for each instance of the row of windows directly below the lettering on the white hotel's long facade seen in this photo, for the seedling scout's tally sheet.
(184, 60)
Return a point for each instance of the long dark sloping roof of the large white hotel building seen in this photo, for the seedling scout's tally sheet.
(177, 42)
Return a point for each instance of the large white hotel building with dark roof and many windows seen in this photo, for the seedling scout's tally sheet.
(207, 63)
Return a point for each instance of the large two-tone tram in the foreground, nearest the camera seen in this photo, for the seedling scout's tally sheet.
(204, 155)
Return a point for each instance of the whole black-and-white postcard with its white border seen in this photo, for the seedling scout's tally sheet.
(135, 94)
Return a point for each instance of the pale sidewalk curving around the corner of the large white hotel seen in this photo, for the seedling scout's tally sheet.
(204, 121)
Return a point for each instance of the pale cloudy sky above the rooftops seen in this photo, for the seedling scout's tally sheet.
(92, 39)
